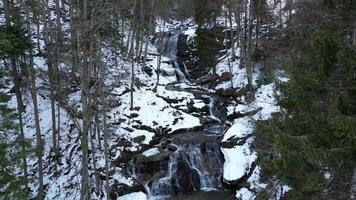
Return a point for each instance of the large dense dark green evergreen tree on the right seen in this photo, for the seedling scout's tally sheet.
(312, 141)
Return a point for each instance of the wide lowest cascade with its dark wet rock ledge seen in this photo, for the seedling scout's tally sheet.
(192, 167)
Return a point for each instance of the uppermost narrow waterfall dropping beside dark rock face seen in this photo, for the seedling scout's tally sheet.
(169, 47)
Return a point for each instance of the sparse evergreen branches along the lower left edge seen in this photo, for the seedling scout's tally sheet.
(11, 185)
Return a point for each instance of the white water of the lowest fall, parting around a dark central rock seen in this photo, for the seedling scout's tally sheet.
(207, 164)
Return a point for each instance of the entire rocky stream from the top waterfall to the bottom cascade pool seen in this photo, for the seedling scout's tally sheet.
(189, 165)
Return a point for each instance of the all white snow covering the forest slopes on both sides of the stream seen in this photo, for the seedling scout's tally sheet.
(152, 110)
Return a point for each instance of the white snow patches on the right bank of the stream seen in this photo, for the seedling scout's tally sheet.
(239, 159)
